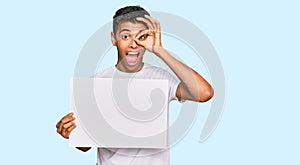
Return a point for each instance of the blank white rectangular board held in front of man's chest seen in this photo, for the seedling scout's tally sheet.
(119, 113)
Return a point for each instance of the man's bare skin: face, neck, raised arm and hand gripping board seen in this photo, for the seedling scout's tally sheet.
(137, 38)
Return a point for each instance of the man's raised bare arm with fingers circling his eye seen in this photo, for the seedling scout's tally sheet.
(192, 86)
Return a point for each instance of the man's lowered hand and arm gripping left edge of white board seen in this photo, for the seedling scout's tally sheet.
(65, 126)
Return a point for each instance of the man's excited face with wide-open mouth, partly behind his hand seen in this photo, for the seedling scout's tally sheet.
(130, 54)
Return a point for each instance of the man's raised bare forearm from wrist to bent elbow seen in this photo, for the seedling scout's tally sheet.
(195, 85)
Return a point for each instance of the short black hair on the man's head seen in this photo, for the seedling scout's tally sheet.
(128, 13)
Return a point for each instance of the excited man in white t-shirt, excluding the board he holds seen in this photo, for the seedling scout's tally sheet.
(134, 32)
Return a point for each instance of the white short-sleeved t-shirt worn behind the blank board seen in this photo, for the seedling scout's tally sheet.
(138, 156)
